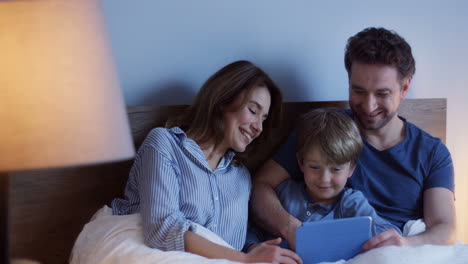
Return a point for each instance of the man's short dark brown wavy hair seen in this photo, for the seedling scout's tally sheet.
(380, 46)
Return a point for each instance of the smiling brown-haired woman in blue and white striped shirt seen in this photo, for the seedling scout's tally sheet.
(190, 174)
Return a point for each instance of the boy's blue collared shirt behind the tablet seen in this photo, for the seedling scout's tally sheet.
(297, 202)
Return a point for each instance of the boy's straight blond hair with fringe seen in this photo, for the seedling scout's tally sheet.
(333, 132)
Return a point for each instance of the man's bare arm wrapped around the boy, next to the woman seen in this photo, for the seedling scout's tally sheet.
(266, 209)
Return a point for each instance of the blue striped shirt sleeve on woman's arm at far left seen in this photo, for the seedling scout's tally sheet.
(164, 224)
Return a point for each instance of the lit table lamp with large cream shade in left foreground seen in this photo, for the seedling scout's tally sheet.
(60, 102)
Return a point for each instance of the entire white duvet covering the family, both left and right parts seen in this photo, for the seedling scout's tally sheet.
(109, 239)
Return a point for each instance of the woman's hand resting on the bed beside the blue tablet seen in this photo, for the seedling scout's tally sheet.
(270, 252)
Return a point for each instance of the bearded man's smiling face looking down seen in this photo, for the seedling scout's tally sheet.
(375, 93)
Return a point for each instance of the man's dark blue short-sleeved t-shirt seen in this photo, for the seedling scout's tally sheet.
(393, 180)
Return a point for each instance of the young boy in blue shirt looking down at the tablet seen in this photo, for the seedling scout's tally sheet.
(328, 148)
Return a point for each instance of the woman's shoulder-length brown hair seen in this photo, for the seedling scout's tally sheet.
(203, 120)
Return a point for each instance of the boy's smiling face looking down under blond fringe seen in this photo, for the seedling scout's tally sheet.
(324, 182)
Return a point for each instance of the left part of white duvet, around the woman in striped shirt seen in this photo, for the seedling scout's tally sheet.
(114, 239)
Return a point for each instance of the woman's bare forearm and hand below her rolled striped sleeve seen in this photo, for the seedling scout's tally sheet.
(267, 251)
